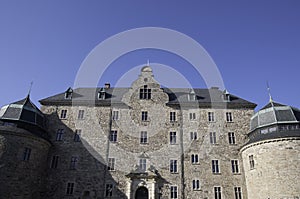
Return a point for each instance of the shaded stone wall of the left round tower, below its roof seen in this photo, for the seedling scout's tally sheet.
(22, 179)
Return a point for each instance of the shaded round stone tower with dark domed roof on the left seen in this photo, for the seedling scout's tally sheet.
(23, 150)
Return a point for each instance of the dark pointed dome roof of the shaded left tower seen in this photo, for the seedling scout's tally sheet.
(24, 111)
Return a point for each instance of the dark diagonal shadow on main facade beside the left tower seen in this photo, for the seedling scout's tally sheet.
(73, 172)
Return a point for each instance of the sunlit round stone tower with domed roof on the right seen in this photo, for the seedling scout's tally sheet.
(271, 156)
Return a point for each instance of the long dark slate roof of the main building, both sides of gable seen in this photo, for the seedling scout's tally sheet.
(177, 96)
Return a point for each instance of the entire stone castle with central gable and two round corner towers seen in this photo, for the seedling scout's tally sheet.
(148, 142)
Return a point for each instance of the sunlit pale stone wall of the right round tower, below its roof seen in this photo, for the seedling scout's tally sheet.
(276, 169)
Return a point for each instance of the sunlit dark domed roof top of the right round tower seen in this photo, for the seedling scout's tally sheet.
(274, 113)
